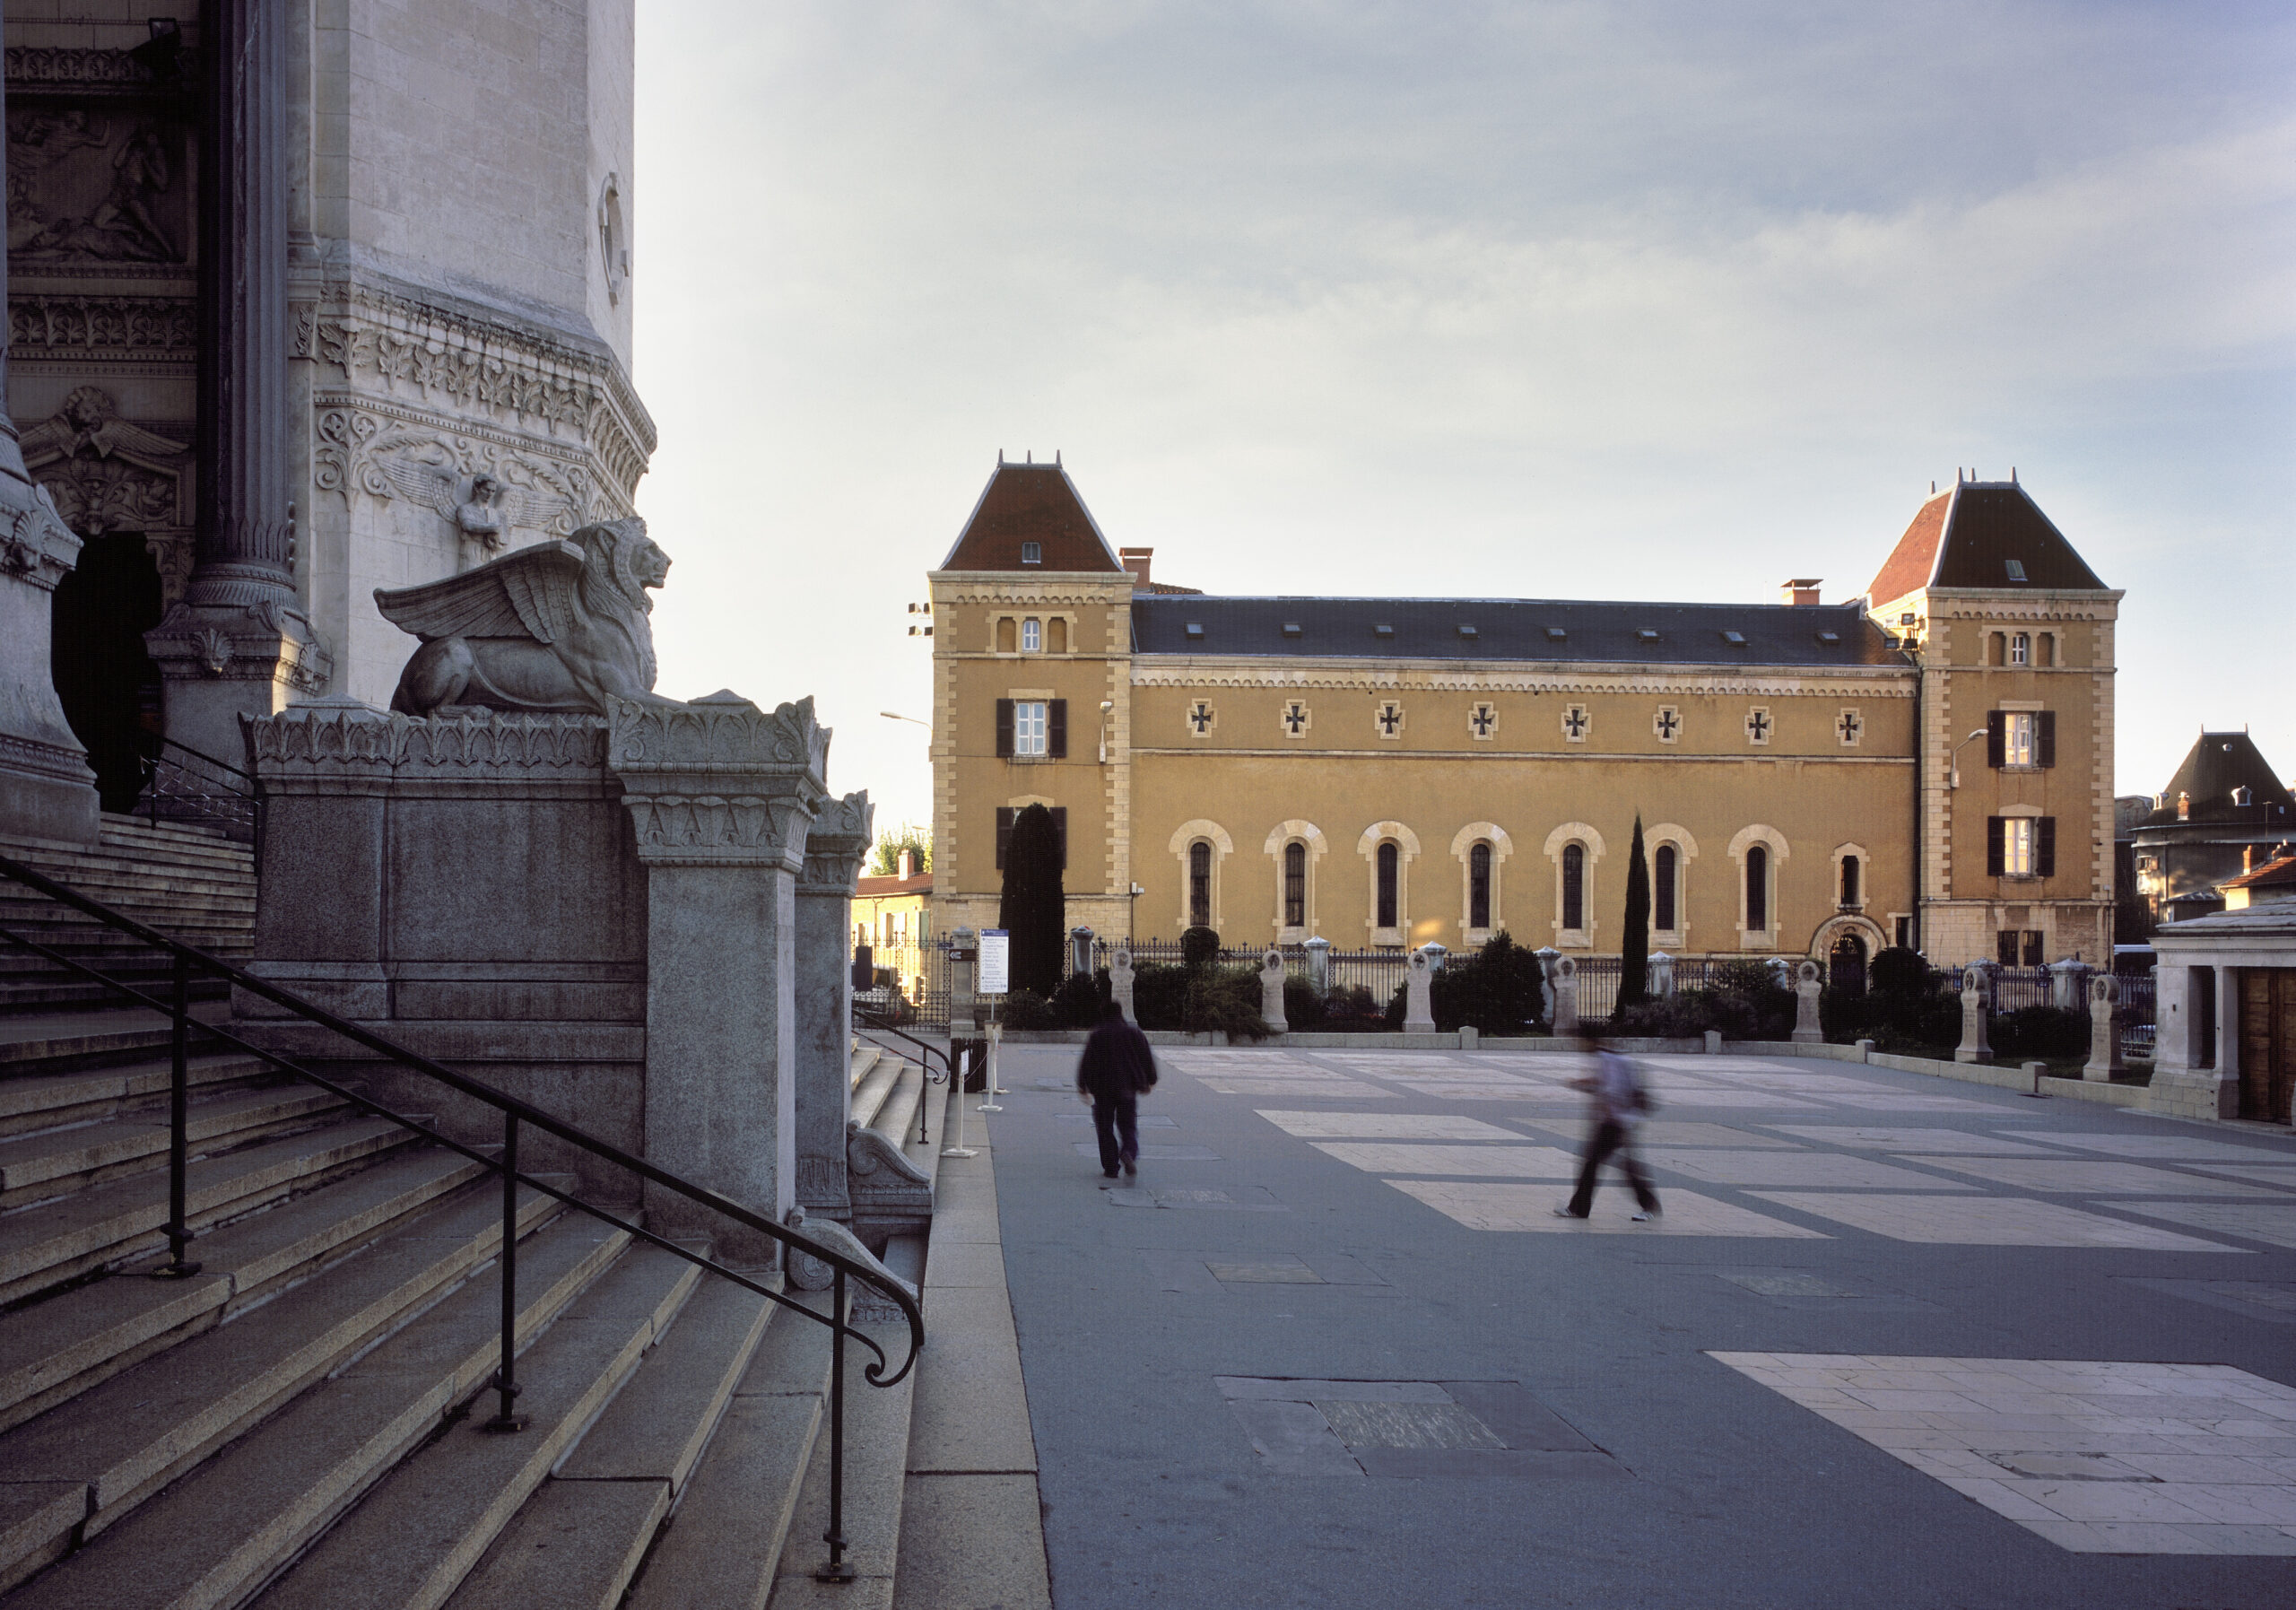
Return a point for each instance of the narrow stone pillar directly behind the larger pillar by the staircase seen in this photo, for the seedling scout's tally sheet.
(825, 1005)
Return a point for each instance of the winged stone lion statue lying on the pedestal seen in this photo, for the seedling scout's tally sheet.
(559, 626)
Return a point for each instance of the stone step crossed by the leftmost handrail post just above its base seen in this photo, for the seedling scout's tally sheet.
(56, 1241)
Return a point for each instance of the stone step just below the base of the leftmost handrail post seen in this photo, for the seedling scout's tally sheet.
(86, 1336)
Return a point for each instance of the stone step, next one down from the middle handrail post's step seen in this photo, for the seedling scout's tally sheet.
(582, 1535)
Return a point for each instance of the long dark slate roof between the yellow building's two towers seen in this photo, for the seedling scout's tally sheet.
(1512, 628)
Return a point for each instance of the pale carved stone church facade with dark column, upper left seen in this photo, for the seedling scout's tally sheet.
(309, 297)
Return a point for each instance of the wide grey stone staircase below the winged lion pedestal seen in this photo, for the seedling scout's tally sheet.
(302, 1421)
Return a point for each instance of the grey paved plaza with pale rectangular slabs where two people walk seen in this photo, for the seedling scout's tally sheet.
(1893, 1340)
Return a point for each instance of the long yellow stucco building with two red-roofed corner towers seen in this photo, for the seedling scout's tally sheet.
(1930, 764)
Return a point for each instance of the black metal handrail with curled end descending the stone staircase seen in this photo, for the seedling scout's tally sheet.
(515, 1117)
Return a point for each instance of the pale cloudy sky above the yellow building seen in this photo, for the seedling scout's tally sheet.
(1620, 302)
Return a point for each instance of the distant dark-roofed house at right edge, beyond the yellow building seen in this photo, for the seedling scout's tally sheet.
(2221, 810)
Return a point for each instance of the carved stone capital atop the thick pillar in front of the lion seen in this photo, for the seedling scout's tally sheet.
(720, 782)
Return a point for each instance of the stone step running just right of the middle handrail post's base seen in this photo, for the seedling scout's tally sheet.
(426, 1526)
